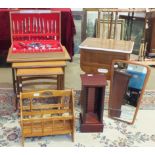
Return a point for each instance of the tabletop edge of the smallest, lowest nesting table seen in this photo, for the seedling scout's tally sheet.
(39, 71)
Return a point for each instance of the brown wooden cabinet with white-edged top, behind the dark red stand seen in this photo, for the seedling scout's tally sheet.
(97, 53)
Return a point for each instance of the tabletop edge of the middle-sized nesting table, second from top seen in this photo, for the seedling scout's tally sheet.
(39, 64)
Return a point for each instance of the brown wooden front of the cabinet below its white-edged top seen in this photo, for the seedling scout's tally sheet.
(92, 60)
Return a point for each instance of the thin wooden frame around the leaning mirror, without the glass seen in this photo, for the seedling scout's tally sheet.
(142, 91)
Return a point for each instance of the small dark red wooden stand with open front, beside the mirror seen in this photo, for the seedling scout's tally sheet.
(92, 102)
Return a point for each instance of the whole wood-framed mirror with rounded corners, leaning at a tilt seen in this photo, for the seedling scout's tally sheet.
(127, 86)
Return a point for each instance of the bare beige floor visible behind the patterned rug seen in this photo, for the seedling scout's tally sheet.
(72, 75)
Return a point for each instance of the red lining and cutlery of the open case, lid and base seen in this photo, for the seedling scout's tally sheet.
(37, 28)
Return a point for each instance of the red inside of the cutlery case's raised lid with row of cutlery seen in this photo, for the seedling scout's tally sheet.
(37, 27)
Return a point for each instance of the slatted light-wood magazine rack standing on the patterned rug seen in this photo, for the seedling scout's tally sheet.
(49, 112)
